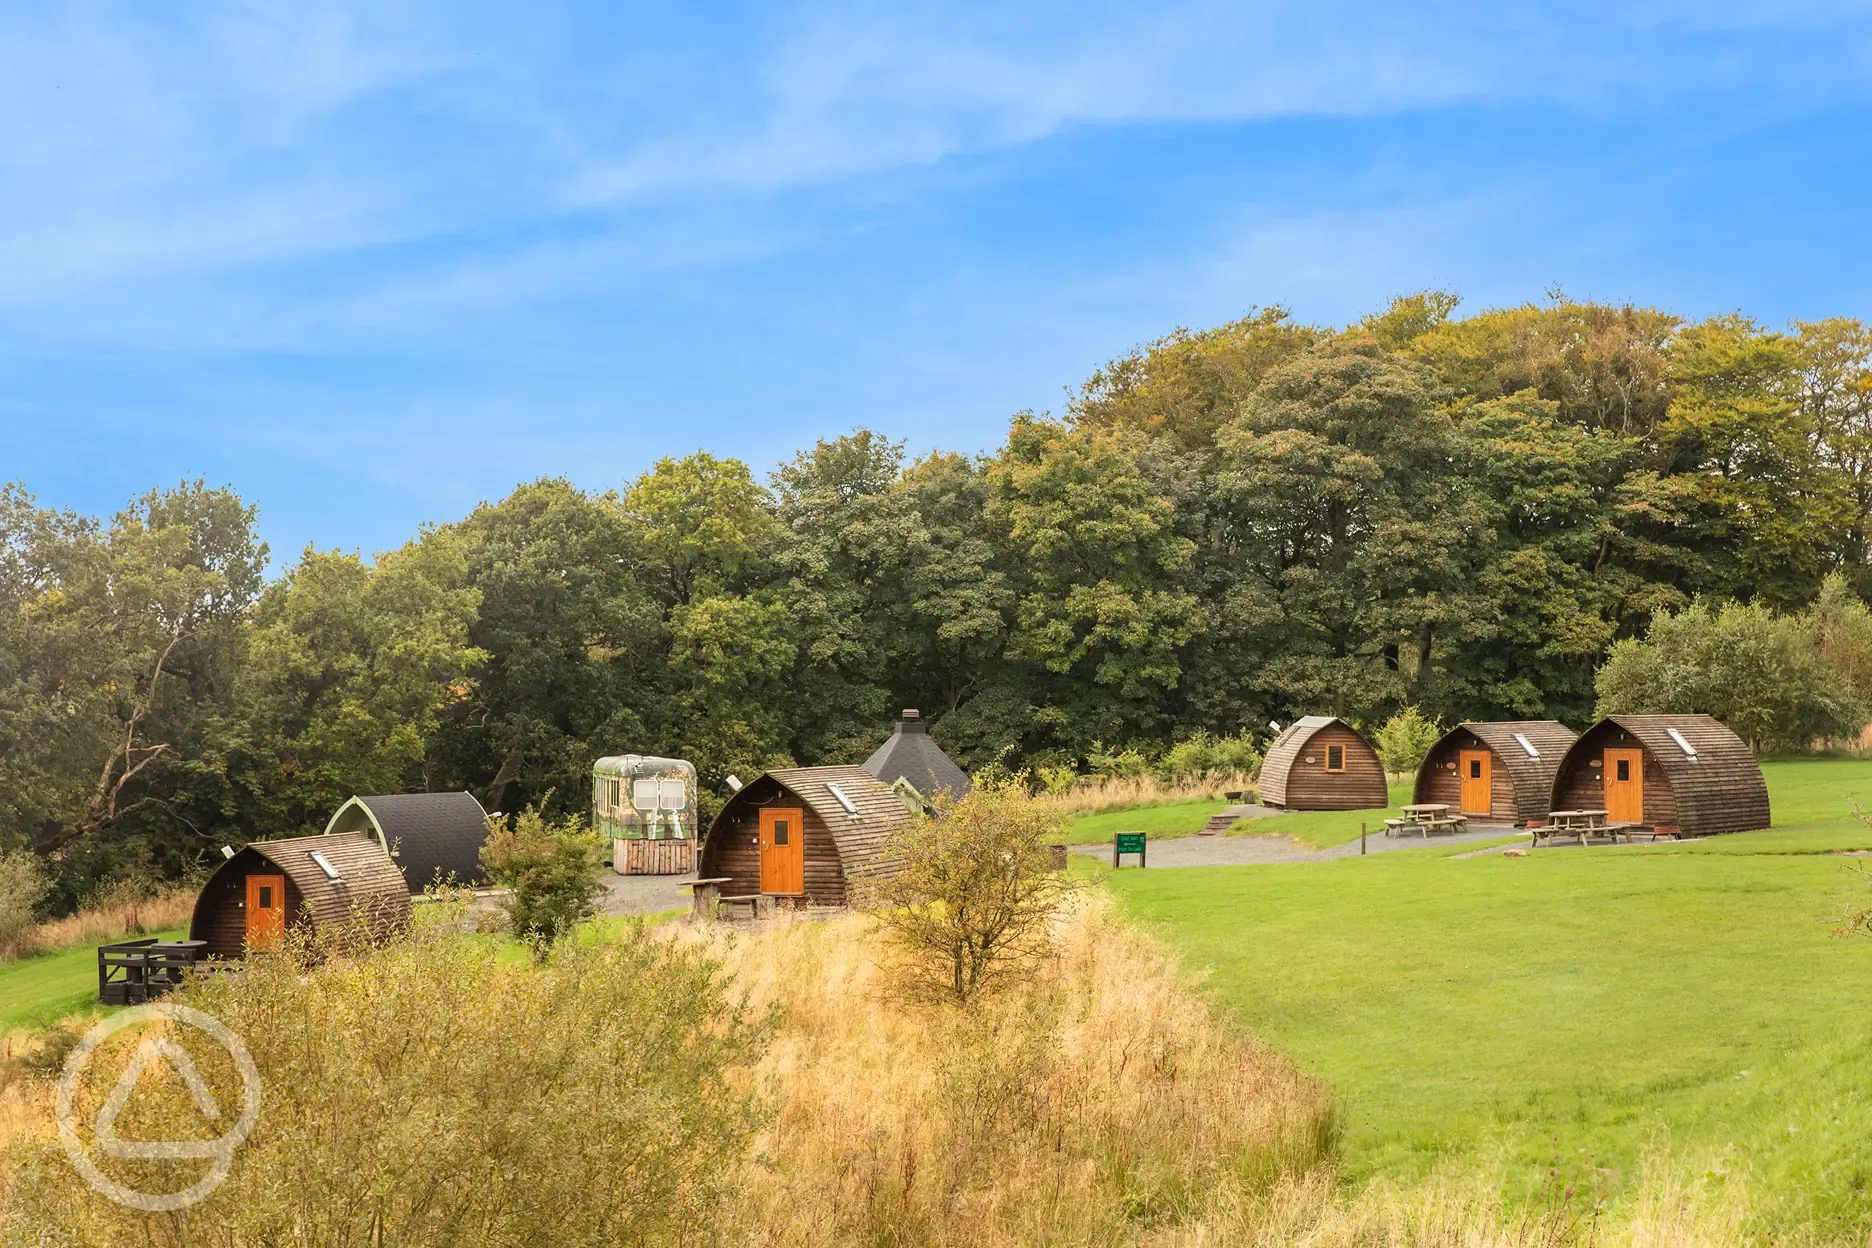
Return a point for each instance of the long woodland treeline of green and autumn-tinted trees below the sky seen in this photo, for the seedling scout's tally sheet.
(1223, 529)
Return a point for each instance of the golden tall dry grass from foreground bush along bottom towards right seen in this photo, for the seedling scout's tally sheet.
(1102, 1105)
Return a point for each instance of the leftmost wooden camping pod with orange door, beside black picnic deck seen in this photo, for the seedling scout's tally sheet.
(344, 884)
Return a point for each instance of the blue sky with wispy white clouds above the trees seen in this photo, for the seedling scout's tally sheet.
(375, 263)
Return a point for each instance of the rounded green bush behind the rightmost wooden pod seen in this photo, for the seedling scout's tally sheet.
(1762, 675)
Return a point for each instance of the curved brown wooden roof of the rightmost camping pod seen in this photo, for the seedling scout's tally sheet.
(1718, 791)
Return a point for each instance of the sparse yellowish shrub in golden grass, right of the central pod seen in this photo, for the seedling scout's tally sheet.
(973, 901)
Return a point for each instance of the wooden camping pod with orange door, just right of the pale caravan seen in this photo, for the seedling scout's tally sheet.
(804, 834)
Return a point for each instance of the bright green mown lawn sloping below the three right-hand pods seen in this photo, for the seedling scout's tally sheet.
(1573, 1009)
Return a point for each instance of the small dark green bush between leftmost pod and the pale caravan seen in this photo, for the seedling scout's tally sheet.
(551, 871)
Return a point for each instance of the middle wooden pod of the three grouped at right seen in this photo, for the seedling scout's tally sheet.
(1500, 772)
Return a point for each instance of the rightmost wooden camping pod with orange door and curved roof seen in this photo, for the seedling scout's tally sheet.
(1680, 776)
